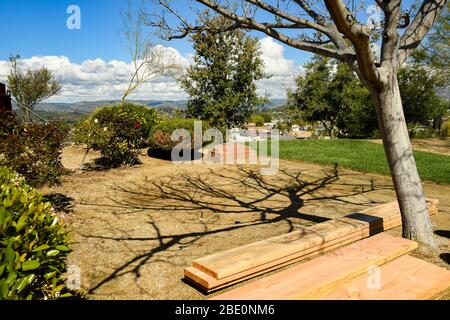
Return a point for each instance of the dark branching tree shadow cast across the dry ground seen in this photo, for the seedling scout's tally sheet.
(194, 195)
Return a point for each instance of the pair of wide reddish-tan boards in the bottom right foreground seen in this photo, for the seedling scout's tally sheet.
(346, 271)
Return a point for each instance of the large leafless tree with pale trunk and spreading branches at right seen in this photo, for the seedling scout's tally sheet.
(330, 28)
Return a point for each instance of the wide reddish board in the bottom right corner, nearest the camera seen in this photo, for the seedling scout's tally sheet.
(405, 278)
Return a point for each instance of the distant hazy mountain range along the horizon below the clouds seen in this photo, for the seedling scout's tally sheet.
(164, 105)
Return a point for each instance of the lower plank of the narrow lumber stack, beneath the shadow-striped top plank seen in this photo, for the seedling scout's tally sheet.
(209, 283)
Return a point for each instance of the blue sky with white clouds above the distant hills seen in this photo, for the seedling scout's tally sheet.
(93, 62)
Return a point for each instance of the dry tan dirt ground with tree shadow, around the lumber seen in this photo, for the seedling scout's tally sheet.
(134, 229)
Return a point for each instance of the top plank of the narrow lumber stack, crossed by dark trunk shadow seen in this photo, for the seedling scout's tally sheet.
(236, 260)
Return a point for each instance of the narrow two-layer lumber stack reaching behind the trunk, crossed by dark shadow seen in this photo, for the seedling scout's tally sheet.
(232, 266)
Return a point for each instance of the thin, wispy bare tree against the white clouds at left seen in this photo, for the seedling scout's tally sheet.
(149, 60)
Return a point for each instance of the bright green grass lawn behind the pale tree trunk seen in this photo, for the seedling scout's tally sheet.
(362, 155)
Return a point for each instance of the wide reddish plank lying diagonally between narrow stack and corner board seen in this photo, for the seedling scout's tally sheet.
(312, 278)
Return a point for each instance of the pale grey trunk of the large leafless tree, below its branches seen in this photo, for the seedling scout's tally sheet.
(416, 221)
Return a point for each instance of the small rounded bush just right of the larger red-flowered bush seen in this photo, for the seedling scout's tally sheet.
(160, 136)
